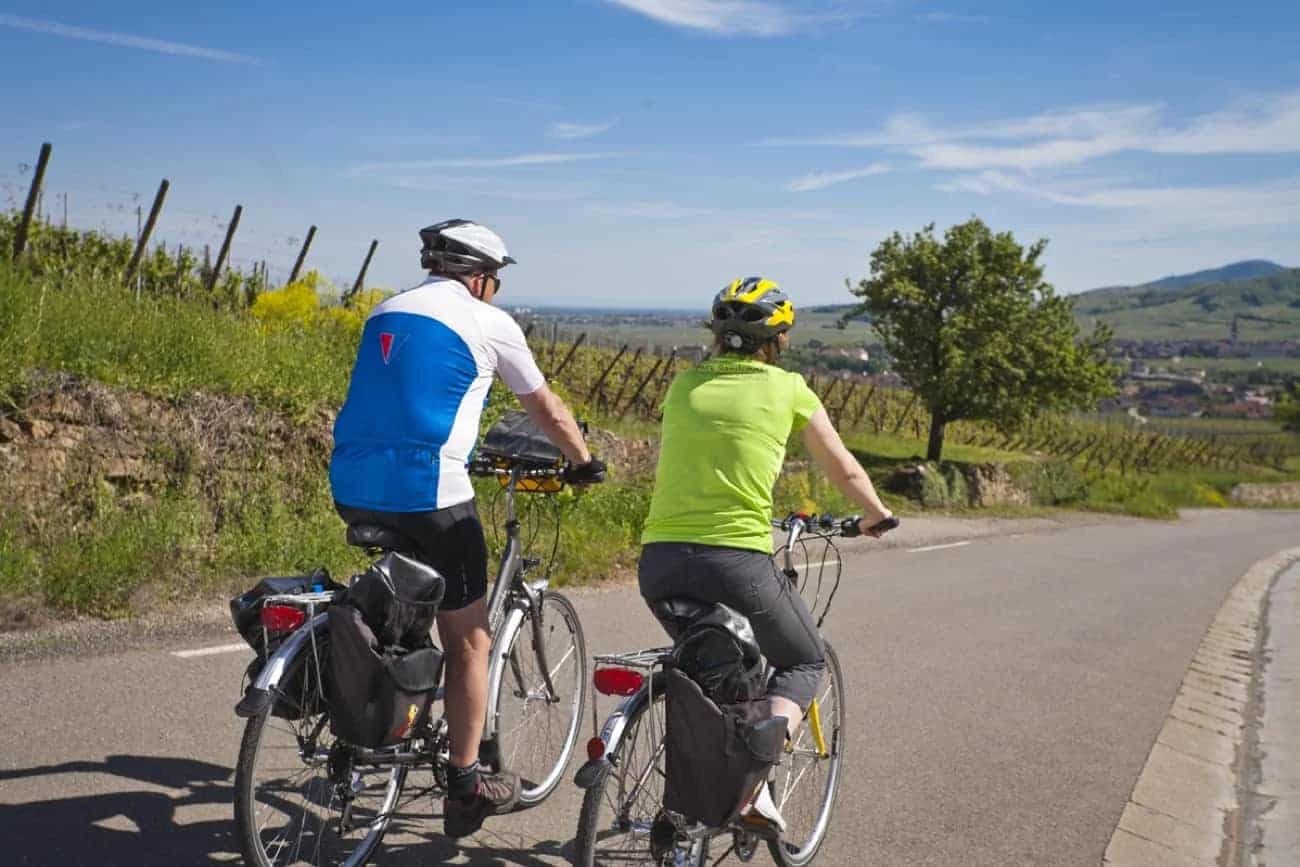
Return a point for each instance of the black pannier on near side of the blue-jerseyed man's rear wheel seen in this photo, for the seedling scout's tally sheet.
(384, 669)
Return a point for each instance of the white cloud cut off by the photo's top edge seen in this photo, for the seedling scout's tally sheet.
(734, 18)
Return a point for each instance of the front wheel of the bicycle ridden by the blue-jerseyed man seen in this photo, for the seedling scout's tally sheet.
(536, 729)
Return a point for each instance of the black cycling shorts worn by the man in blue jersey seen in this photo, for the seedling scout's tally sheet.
(452, 541)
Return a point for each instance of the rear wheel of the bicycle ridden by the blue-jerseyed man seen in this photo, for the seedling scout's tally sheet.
(293, 777)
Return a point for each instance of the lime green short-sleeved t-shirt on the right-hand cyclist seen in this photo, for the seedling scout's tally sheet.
(725, 431)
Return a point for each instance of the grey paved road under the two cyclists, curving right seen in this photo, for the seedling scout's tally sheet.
(1003, 701)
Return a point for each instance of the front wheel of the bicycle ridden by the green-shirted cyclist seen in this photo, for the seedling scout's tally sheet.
(799, 853)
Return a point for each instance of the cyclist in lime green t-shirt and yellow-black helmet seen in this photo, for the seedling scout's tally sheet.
(709, 537)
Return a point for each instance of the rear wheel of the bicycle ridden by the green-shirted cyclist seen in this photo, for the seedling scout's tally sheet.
(619, 810)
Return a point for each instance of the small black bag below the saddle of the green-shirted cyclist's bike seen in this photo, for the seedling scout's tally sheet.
(718, 652)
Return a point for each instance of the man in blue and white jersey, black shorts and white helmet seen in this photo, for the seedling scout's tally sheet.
(401, 446)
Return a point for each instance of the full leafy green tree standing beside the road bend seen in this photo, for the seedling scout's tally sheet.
(977, 332)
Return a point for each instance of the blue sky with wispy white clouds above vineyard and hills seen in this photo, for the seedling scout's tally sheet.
(644, 153)
